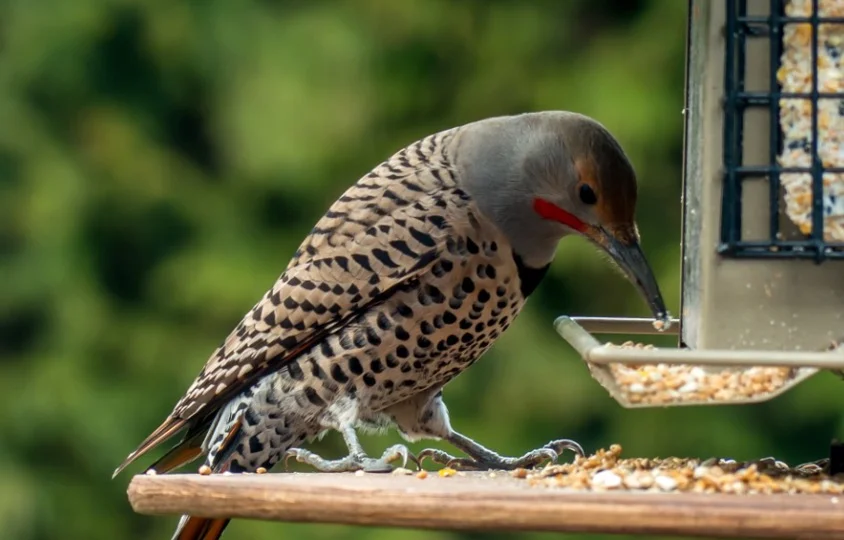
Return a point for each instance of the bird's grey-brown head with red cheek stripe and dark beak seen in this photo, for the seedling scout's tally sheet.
(542, 176)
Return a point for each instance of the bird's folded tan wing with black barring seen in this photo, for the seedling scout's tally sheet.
(318, 296)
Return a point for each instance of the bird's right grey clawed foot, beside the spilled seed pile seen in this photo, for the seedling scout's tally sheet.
(487, 460)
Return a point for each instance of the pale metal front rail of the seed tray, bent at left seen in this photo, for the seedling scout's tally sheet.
(595, 352)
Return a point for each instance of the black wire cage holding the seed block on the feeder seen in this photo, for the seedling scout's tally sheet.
(801, 168)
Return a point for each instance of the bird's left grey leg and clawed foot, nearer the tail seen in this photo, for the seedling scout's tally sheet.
(356, 459)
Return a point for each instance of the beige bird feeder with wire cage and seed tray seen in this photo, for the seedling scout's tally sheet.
(763, 214)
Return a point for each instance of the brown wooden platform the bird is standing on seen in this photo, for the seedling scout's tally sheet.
(478, 502)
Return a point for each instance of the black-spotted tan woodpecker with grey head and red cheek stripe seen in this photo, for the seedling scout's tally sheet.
(409, 277)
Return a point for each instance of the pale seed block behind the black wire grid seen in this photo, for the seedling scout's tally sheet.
(795, 75)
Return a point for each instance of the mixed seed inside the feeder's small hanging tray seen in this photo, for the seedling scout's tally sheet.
(656, 384)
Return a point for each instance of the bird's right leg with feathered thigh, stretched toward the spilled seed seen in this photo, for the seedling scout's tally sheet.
(426, 417)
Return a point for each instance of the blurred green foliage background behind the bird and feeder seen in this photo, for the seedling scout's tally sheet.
(161, 160)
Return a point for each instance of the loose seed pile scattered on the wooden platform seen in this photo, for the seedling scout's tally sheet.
(607, 471)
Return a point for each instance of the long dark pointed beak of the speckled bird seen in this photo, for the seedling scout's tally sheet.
(629, 256)
